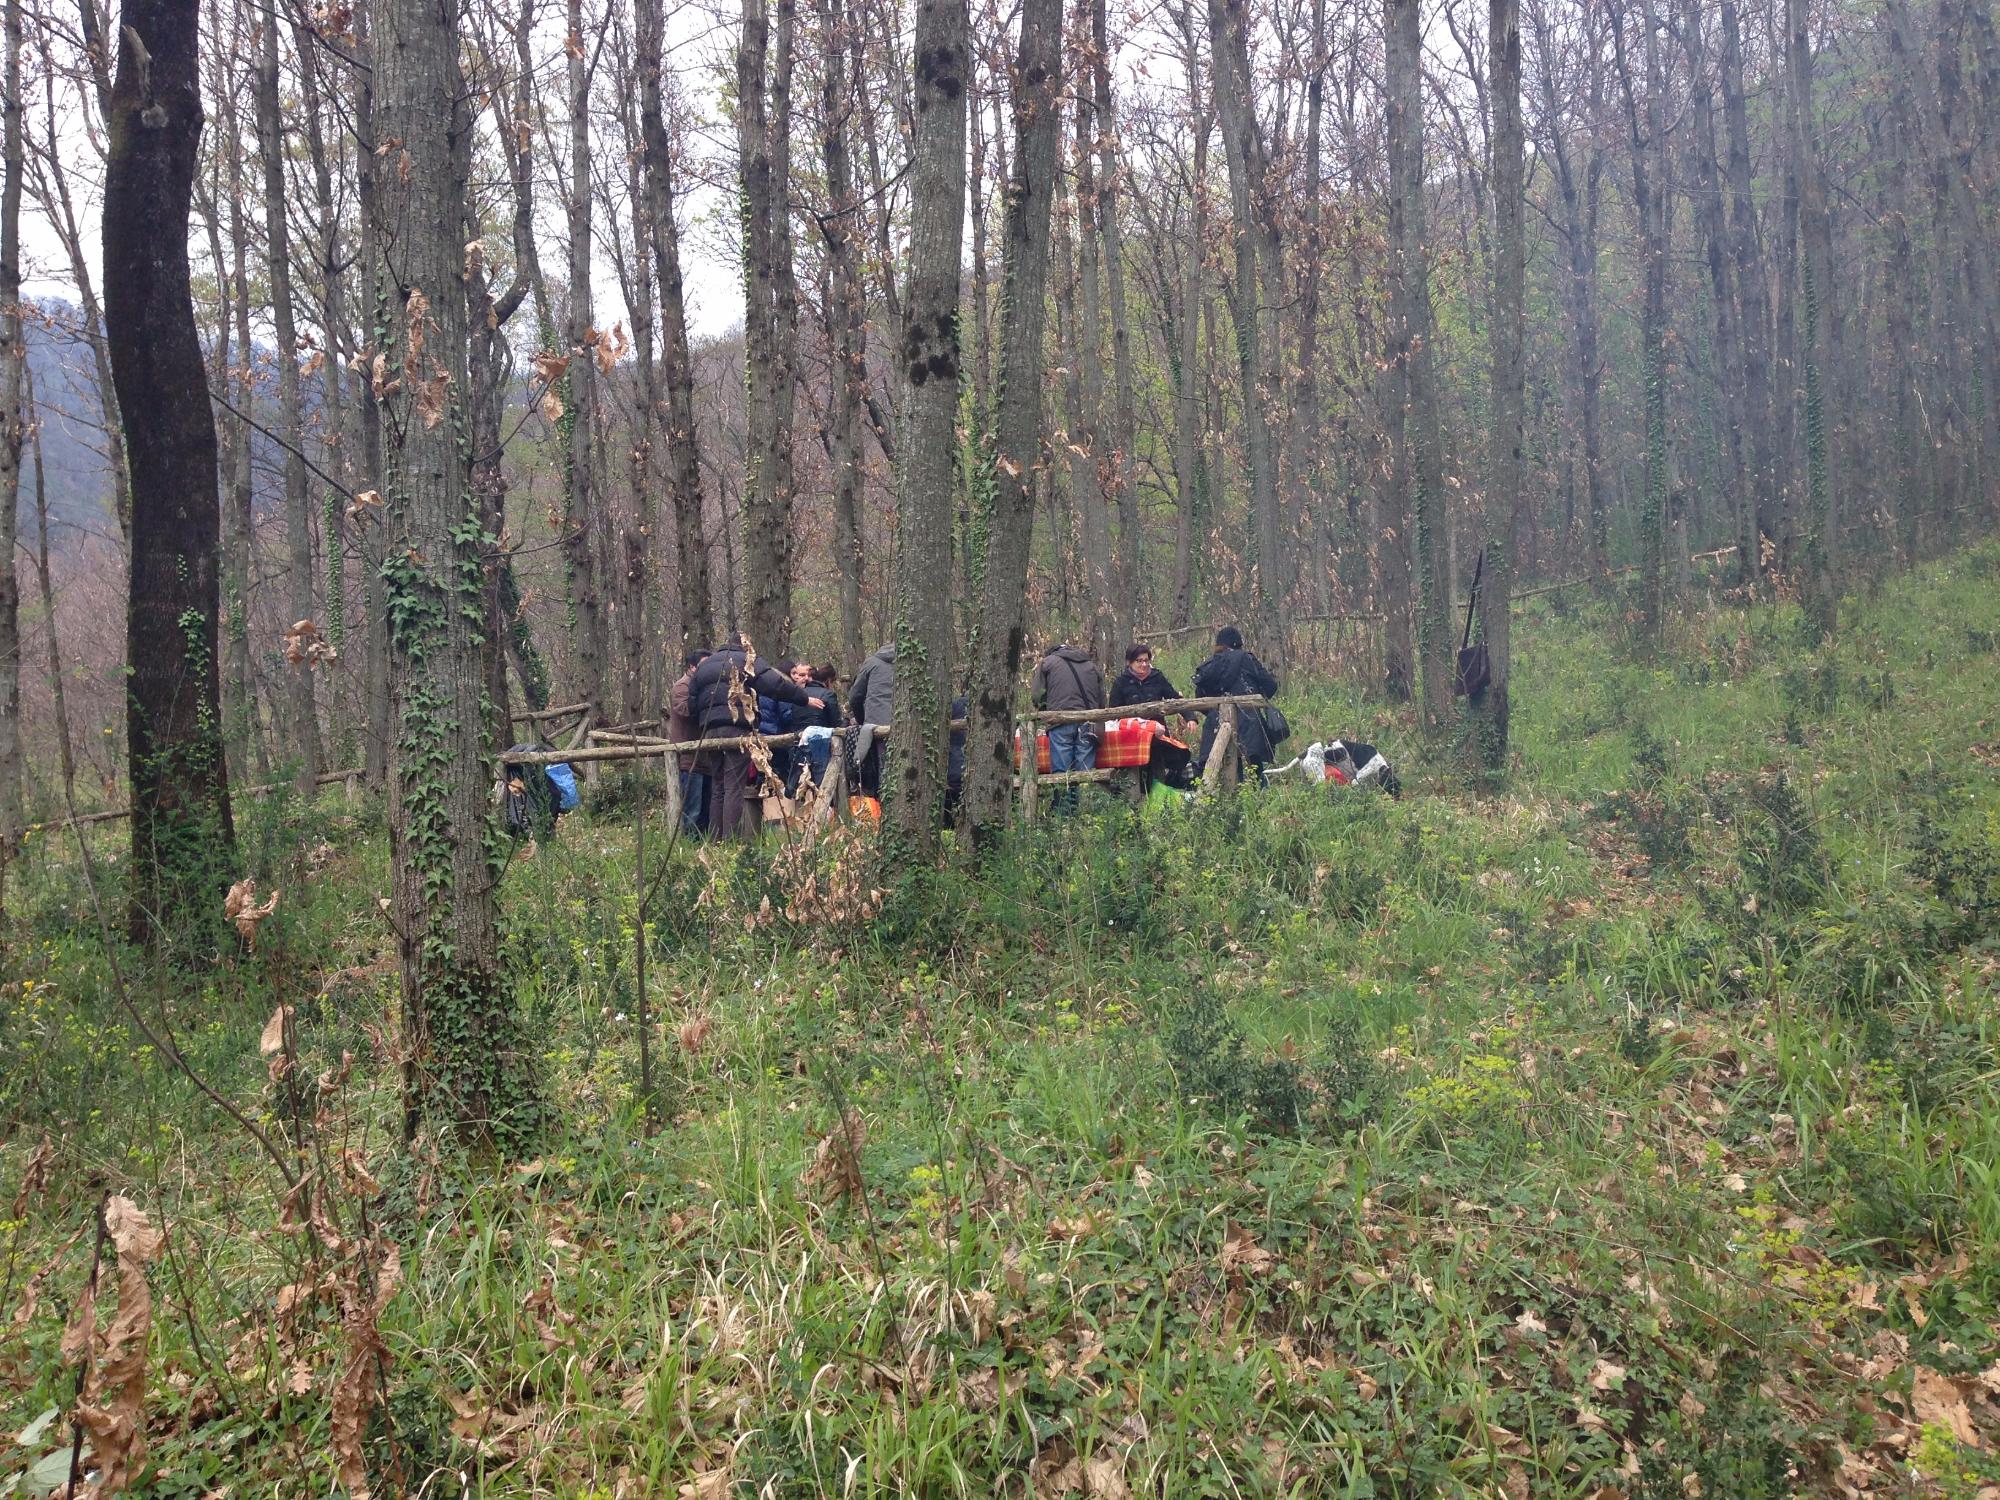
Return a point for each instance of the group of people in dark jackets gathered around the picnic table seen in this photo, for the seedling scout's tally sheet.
(727, 695)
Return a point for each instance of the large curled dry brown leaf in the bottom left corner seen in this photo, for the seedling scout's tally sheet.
(113, 1403)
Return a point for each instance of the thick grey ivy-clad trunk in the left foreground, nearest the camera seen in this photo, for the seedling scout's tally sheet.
(471, 1063)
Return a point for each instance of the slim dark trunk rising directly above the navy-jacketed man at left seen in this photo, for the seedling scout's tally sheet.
(677, 365)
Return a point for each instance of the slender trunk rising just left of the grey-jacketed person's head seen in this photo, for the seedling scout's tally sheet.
(847, 315)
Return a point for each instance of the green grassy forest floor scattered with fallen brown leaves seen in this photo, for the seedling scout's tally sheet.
(1629, 1129)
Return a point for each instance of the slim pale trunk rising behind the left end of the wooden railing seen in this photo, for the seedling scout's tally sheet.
(581, 415)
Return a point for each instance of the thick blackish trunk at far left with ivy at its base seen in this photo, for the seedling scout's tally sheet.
(183, 839)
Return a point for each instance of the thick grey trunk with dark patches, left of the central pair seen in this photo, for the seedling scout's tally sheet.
(931, 465)
